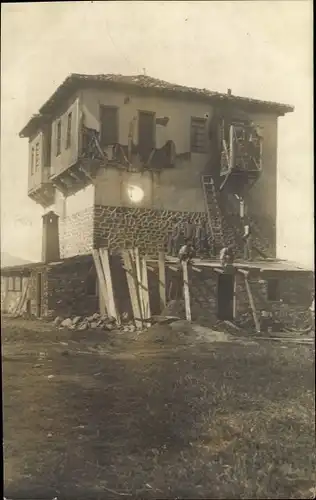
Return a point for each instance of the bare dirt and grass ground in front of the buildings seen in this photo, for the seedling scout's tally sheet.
(100, 415)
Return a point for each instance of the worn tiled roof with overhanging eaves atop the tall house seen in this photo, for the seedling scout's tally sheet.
(148, 84)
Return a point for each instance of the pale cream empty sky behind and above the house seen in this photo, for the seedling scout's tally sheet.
(258, 49)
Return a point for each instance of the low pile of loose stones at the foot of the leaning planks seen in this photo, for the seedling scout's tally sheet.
(95, 321)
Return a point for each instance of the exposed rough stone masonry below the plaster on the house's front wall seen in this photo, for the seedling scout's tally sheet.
(147, 229)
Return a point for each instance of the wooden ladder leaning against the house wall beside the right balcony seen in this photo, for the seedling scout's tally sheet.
(214, 216)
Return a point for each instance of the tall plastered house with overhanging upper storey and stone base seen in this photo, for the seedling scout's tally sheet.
(132, 161)
